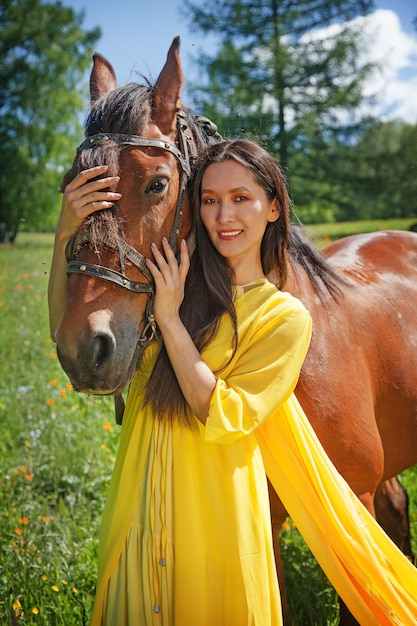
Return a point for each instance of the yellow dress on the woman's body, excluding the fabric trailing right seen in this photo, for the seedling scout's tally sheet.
(186, 535)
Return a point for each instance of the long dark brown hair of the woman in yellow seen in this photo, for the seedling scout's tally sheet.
(208, 290)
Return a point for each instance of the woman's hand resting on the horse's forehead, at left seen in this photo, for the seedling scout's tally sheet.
(83, 196)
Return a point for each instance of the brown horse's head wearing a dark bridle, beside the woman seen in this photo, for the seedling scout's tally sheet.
(143, 136)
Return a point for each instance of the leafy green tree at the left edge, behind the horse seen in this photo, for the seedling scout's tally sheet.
(44, 54)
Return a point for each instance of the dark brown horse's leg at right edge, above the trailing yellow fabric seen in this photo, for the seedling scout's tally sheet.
(391, 508)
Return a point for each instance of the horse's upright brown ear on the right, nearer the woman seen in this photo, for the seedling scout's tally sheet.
(167, 91)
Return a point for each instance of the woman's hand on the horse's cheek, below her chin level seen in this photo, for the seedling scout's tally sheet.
(169, 277)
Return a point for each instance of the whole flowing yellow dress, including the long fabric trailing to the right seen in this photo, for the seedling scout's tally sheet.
(186, 537)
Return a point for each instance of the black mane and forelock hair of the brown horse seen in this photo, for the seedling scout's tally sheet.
(127, 110)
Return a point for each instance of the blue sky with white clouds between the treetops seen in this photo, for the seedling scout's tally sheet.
(136, 35)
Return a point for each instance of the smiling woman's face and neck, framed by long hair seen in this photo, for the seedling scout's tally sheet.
(235, 210)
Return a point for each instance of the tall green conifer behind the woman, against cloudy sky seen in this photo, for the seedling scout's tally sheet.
(290, 73)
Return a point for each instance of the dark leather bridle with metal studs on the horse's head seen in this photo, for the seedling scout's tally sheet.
(184, 154)
